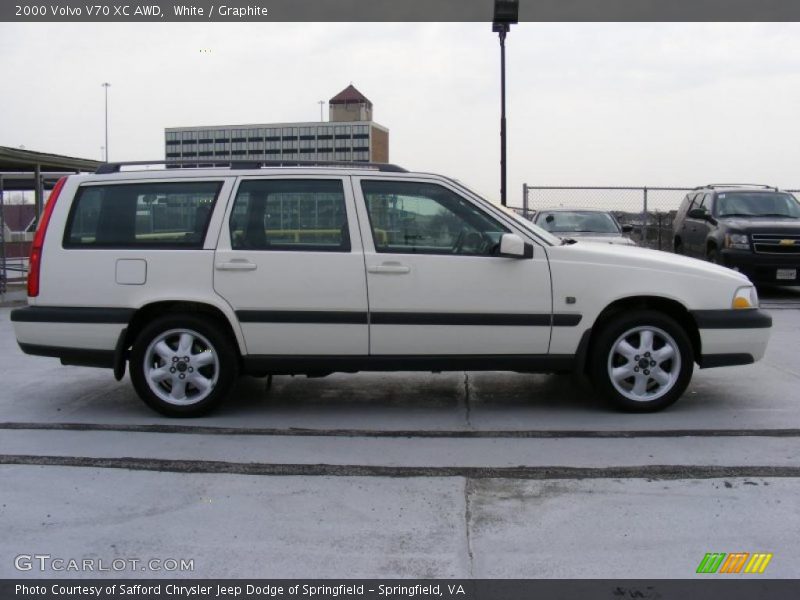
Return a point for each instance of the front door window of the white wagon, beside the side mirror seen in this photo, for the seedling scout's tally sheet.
(426, 218)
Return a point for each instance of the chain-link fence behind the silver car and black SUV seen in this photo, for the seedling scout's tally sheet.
(649, 210)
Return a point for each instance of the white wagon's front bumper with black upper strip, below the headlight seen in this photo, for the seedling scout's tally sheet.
(732, 337)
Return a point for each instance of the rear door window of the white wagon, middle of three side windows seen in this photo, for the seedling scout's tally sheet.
(290, 214)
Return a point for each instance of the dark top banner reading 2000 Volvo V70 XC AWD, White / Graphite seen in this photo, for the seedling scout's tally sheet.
(394, 10)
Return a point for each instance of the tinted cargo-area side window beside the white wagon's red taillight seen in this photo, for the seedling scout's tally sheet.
(141, 215)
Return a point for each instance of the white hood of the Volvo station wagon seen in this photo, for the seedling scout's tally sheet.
(644, 258)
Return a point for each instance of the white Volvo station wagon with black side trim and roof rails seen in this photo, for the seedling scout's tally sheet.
(192, 276)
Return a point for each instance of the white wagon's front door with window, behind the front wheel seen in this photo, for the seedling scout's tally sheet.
(436, 286)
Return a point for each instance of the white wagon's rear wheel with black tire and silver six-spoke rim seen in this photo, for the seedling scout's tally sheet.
(203, 375)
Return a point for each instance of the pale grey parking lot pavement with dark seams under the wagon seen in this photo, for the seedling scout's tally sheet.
(403, 475)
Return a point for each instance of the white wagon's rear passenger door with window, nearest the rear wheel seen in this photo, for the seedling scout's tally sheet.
(290, 263)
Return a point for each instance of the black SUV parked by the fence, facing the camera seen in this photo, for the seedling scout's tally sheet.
(754, 229)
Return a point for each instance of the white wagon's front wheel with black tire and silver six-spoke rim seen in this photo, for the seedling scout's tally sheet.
(629, 393)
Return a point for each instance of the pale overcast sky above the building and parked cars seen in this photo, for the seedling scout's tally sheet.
(588, 104)
